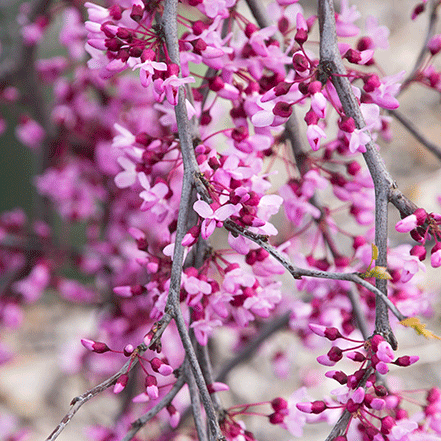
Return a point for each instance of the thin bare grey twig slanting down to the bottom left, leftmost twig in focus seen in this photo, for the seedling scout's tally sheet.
(77, 402)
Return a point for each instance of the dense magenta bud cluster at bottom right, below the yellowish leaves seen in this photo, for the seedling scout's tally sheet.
(376, 408)
